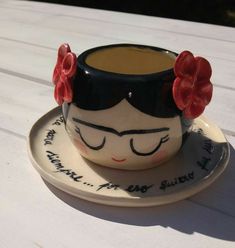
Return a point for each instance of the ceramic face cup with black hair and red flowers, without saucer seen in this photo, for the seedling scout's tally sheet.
(129, 106)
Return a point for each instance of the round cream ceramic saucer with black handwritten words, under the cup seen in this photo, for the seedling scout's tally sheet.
(201, 160)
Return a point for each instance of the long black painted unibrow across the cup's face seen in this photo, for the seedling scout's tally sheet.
(111, 130)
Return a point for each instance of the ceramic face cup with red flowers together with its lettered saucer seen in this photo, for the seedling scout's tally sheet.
(129, 129)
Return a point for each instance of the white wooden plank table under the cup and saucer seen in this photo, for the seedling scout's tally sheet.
(34, 213)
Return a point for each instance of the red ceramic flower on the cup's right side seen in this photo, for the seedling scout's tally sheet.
(192, 89)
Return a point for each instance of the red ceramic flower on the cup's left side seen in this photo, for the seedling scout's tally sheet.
(64, 70)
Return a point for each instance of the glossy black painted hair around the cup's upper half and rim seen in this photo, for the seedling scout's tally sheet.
(95, 89)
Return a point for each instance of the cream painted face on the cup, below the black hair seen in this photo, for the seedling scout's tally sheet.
(123, 137)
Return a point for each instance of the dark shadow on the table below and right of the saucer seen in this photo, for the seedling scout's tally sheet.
(186, 216)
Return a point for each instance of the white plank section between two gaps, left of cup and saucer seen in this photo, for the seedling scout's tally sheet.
(22, 102)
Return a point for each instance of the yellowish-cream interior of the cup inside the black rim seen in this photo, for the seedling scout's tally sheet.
(131, 60)
